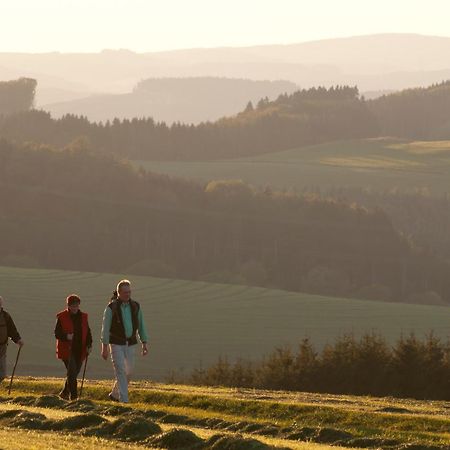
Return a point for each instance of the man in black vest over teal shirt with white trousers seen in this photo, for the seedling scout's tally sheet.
(122, 320)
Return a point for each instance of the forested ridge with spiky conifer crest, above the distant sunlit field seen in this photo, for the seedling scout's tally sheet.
(337, 114)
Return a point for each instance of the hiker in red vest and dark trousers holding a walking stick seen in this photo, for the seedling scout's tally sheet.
(73, 343)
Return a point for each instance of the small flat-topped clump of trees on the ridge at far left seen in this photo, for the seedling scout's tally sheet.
(17, 95)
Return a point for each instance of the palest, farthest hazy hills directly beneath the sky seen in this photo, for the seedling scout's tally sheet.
(412, 60)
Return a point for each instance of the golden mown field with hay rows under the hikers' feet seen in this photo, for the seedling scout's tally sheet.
(33, 419)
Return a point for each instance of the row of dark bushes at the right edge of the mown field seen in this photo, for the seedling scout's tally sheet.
(368, 365)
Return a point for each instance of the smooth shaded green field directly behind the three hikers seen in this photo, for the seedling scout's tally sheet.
(193, 323)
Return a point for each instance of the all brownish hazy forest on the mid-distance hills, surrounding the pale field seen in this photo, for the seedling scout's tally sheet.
(224, 230)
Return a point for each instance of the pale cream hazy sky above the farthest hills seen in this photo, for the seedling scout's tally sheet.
(151, 25)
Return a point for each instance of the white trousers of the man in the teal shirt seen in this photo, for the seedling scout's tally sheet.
(123, 359)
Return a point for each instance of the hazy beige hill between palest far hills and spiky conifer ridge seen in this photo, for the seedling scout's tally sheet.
(187, 100)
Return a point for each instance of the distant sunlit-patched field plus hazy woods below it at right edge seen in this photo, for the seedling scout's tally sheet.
(408, 180)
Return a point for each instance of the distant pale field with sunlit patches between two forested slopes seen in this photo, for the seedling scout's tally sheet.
(381, 163)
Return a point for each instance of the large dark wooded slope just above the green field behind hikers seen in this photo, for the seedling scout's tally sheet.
(77, 209)
